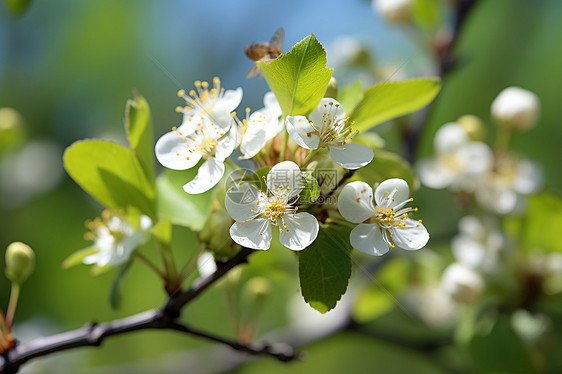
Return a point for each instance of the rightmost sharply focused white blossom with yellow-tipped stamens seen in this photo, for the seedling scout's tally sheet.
(385, 224)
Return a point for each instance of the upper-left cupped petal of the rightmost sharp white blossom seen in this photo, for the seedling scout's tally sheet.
(355, 202)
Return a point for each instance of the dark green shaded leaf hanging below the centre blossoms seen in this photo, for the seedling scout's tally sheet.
(325, 268)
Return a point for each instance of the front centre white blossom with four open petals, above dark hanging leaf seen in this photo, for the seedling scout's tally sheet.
(255, 211)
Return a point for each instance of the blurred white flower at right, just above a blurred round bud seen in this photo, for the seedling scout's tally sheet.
(478, 243)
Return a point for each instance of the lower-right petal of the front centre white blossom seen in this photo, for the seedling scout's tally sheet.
(300, 231)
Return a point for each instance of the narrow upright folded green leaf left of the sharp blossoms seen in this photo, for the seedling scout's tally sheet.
(138, 126)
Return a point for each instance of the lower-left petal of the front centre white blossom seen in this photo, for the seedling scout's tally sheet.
(255, 234)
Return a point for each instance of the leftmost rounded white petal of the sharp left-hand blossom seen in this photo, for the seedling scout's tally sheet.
(172, 151)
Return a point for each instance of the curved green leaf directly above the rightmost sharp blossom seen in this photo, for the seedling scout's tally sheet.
(386, 165)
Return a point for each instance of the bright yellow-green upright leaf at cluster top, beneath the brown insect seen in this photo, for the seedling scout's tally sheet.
(299, 77)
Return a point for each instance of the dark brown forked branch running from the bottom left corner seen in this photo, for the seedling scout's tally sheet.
(164, 319)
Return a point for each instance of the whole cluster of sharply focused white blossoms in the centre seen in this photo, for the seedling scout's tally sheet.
(211, 132)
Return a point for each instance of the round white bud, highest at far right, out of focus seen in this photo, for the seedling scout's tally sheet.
(516, 108)
